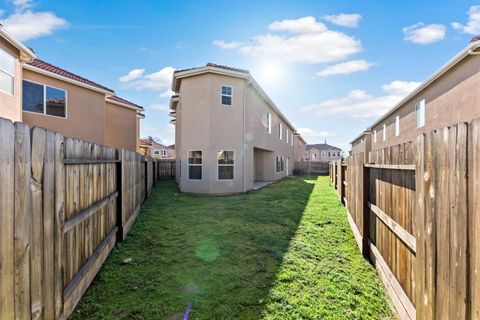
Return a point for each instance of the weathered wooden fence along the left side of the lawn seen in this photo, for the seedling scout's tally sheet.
(63, 205)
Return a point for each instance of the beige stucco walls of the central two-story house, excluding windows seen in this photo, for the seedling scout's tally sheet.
(202, 123)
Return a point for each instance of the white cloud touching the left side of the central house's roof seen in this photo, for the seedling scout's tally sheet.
(137, 80)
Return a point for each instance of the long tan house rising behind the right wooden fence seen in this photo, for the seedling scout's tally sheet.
(451, 95)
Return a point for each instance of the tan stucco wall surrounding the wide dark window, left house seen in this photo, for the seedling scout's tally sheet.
(85, 111)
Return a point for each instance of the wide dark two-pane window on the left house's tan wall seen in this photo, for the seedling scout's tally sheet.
(44, 99)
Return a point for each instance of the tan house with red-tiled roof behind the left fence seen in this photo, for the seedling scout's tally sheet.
(40, 94)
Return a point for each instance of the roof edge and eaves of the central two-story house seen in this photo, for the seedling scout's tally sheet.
(230, 71)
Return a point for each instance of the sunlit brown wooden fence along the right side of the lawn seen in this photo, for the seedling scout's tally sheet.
(414, 210)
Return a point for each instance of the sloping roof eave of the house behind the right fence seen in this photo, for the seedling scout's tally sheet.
(471, 48)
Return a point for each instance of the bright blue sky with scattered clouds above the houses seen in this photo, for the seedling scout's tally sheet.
(332, 67)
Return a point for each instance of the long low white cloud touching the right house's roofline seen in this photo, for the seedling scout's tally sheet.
(360, 104)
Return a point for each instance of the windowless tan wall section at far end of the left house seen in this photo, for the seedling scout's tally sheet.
(120, 127)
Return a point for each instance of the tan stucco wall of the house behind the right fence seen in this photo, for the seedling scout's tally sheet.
(451, 99)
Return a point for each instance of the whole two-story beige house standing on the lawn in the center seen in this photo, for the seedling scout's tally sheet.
(228, 133)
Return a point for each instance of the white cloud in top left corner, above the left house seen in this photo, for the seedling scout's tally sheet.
(26, 25)
